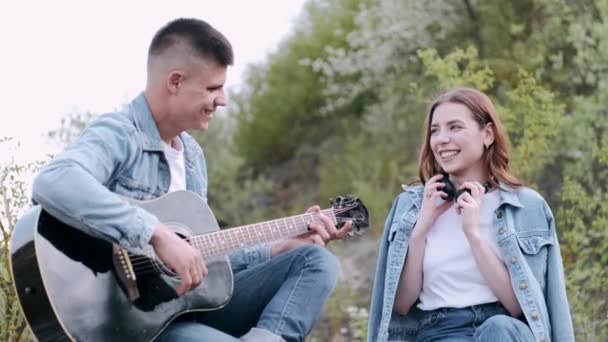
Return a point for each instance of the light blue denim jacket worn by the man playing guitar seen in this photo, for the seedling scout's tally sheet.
(121, 153)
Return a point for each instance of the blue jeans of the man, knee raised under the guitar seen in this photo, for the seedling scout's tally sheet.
(284, 295)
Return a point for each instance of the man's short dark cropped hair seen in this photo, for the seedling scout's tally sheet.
(204, 40)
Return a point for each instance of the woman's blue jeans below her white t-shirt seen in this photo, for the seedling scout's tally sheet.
(486, 322)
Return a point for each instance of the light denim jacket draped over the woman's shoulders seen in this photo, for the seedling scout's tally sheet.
(525, 232)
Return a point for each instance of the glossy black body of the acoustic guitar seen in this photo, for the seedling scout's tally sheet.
(68, 286)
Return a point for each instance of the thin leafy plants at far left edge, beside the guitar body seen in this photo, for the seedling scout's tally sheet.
(13, 200)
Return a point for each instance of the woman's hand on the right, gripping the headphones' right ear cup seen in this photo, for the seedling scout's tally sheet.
(469, 205)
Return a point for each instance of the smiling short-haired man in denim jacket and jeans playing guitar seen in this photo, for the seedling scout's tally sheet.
(143, 152)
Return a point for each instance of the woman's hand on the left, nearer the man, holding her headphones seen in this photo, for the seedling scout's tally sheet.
(430, 210)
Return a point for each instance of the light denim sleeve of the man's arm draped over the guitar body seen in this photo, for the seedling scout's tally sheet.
(72, 188)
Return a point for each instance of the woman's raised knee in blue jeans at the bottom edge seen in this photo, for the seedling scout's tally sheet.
(503, 328)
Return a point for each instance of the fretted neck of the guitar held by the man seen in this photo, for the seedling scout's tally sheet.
(225, 241)
